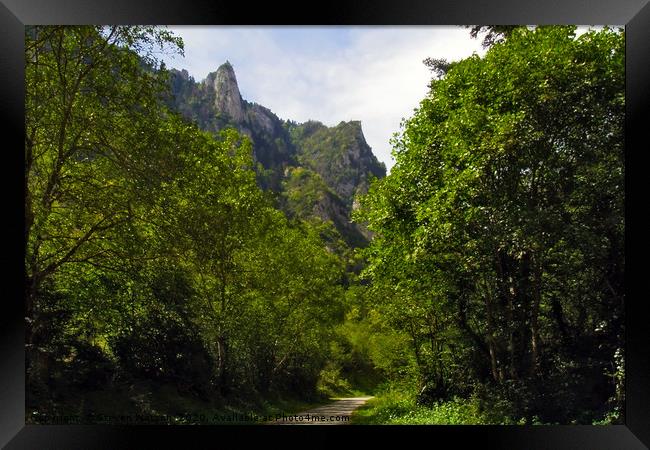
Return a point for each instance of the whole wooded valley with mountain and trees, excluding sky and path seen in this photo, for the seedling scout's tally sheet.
(188, 253)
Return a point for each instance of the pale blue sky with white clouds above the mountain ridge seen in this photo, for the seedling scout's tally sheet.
(330, 74)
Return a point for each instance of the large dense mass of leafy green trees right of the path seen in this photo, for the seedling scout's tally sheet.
(499, 232)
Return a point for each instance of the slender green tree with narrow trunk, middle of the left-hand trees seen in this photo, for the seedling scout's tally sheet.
(212, 209)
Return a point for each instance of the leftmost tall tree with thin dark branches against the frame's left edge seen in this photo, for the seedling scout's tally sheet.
(92, 115)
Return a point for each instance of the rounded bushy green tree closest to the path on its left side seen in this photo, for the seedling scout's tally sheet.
(294, 290)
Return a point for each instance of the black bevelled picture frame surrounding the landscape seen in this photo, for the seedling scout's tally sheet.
(14, 14)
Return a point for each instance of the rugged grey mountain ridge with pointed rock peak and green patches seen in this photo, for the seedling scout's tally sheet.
(316, 170)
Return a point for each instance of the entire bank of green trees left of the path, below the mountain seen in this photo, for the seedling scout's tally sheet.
(151, 252)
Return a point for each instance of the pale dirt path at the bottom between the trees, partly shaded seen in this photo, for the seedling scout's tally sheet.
(335, 413)
